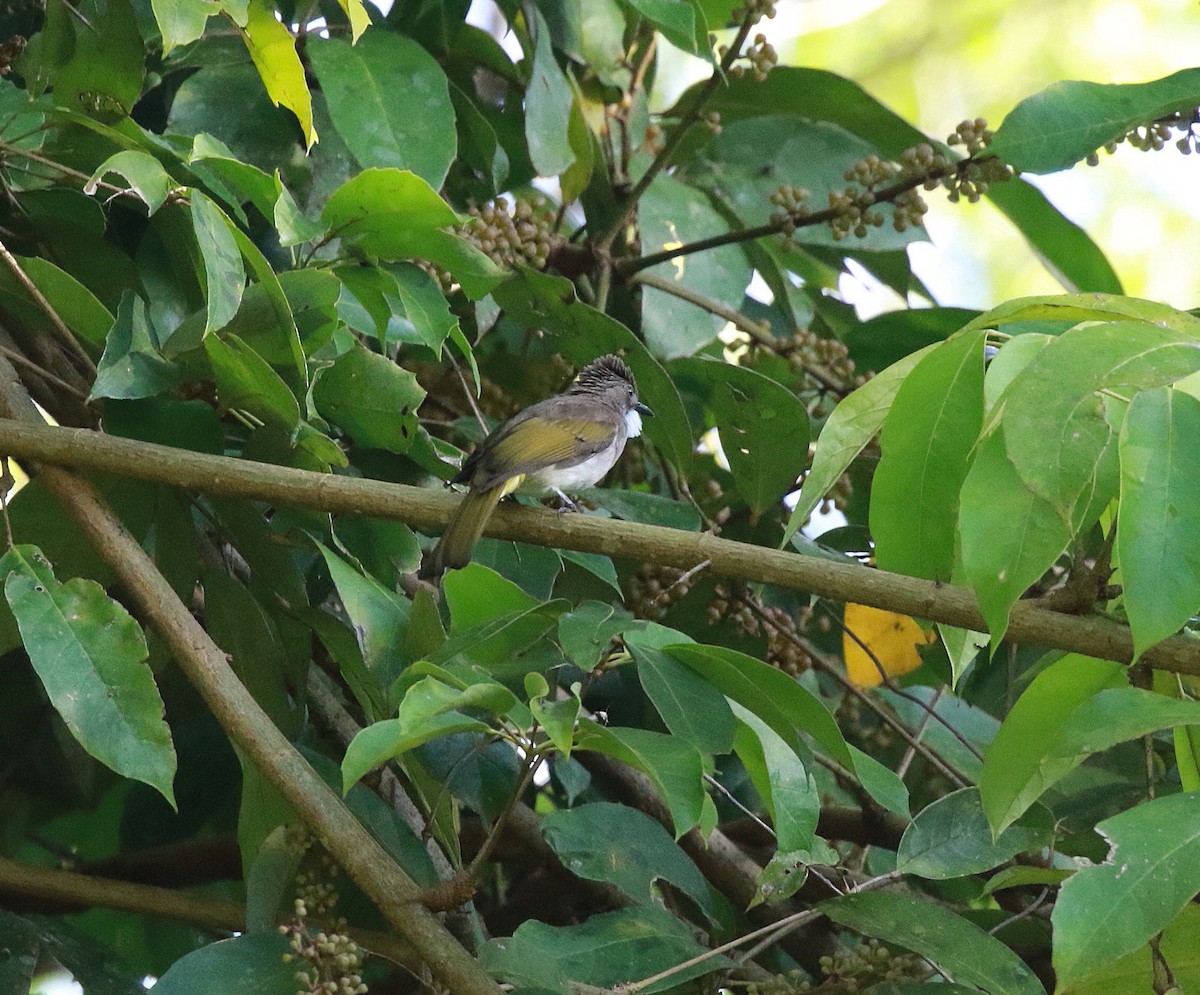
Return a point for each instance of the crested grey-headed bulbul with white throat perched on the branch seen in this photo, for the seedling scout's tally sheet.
(559, 445)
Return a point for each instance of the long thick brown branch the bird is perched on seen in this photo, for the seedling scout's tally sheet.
(427, 510)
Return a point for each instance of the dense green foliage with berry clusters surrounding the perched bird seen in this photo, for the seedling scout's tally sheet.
(323, 244)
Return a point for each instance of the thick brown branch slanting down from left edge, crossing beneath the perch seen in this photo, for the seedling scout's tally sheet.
(208, 669)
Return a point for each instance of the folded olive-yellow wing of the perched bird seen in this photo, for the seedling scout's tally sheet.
(536, 443)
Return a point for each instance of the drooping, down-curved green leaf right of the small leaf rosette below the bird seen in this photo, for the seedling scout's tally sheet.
(676, 768)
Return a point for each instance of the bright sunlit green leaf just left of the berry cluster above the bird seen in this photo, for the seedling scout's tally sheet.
(395, 215)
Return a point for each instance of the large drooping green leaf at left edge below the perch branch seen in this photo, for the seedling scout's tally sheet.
(91, 657)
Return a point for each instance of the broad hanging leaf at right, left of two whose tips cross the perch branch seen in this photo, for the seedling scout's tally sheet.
(1009, 536)
